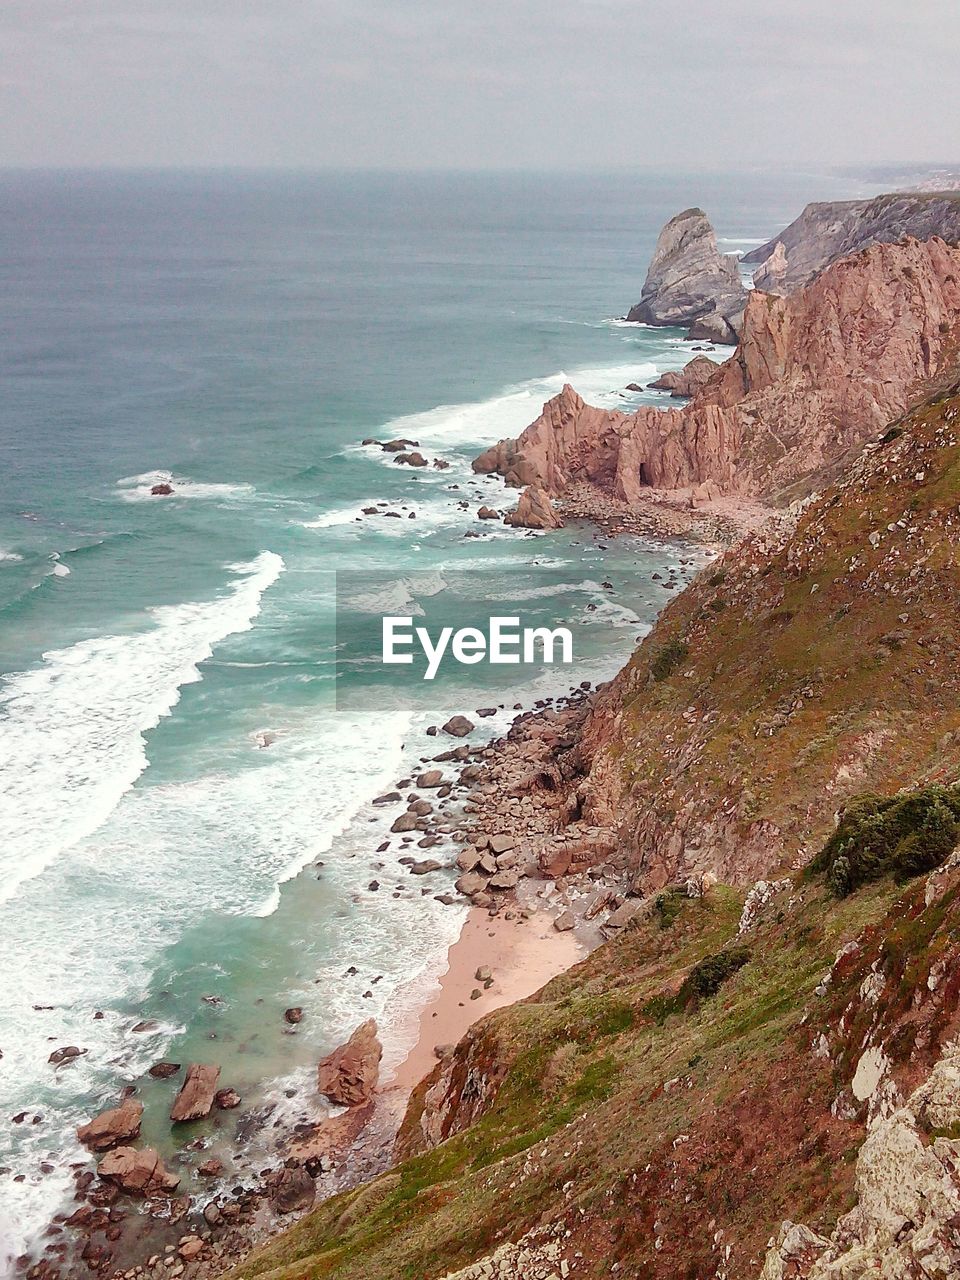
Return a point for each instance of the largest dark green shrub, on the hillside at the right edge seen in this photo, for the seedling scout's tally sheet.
(899, 836)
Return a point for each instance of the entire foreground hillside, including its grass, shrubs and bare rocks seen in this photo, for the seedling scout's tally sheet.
(747, 1055)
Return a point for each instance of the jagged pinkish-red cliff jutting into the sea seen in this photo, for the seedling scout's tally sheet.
(813, 377)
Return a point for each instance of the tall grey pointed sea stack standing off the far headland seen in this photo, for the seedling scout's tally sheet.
(691, 284)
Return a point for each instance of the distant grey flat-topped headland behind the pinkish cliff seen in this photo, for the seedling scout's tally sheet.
(834, 230)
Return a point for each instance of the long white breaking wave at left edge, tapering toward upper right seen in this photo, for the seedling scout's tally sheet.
(72, 730)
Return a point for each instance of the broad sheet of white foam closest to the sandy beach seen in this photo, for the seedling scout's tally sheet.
(171, 857)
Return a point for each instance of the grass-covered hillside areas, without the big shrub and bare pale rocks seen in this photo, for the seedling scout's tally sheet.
(666, 1131)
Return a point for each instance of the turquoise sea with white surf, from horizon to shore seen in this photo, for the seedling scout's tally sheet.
(239, 336)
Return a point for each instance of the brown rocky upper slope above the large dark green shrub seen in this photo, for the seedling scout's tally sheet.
(810, 665)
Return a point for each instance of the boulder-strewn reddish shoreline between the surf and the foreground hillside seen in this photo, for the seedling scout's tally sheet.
(130, 1220)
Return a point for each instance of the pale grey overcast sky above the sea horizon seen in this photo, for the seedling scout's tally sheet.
(449, 84)
